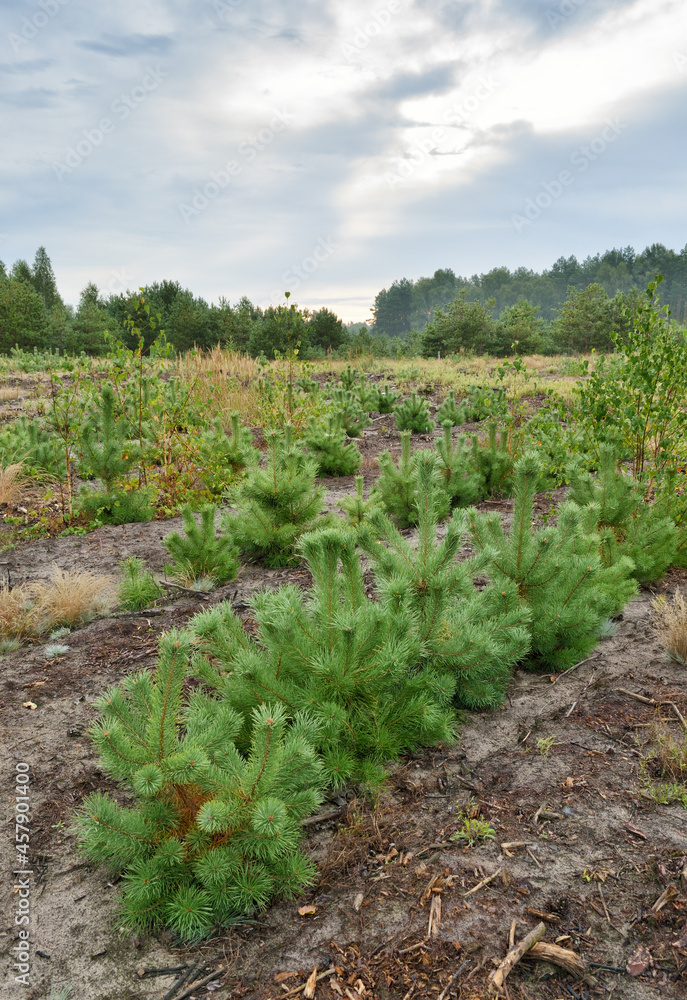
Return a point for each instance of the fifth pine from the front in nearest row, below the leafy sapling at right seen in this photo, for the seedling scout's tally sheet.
(628, 525)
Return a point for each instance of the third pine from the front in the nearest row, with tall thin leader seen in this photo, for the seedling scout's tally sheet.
(475, 637)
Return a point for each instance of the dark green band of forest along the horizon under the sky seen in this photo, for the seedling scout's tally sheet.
(570, 307)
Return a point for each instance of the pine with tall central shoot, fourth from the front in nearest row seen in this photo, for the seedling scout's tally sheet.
(557, 572)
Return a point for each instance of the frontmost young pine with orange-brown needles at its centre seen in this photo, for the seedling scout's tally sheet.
(212, 833)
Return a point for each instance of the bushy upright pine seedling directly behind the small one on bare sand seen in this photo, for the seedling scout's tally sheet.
(277, 504)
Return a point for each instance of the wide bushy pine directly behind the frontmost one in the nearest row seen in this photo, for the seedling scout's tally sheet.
(338, 655)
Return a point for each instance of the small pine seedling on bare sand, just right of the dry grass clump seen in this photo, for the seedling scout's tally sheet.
(200, 554)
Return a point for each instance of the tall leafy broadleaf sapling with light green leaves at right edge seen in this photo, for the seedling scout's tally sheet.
(636, 400)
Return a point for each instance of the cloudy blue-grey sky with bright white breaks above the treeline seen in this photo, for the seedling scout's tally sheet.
(250, 147)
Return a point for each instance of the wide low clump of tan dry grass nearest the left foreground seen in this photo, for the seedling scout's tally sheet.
(67, 599)
